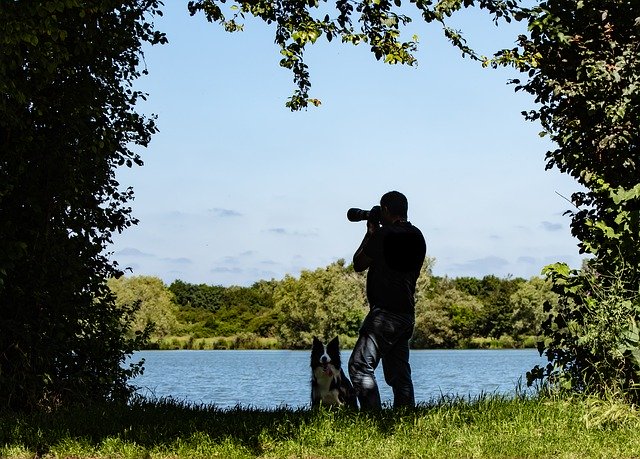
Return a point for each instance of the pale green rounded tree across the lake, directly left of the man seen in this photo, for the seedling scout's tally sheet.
(324, 303)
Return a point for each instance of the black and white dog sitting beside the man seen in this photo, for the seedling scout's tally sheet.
(329, 384)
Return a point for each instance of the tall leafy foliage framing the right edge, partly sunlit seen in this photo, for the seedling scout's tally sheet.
(582, 59)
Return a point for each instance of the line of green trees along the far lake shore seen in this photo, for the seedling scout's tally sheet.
(462, 312)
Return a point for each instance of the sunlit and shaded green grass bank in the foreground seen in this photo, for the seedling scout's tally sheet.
(488, 427)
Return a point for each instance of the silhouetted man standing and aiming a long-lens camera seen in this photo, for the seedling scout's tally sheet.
(393, 251)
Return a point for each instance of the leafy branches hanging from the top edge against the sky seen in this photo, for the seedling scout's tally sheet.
(376, 23)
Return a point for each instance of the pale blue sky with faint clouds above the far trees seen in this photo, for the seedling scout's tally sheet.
(236, 188)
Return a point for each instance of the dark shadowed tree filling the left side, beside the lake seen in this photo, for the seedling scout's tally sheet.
(67, 121)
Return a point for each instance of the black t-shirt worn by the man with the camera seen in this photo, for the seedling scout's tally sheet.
(397, 251)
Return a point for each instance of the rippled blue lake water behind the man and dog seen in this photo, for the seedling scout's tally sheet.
(270, 379)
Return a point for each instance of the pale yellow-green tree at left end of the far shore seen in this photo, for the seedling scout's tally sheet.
(152, 300)
